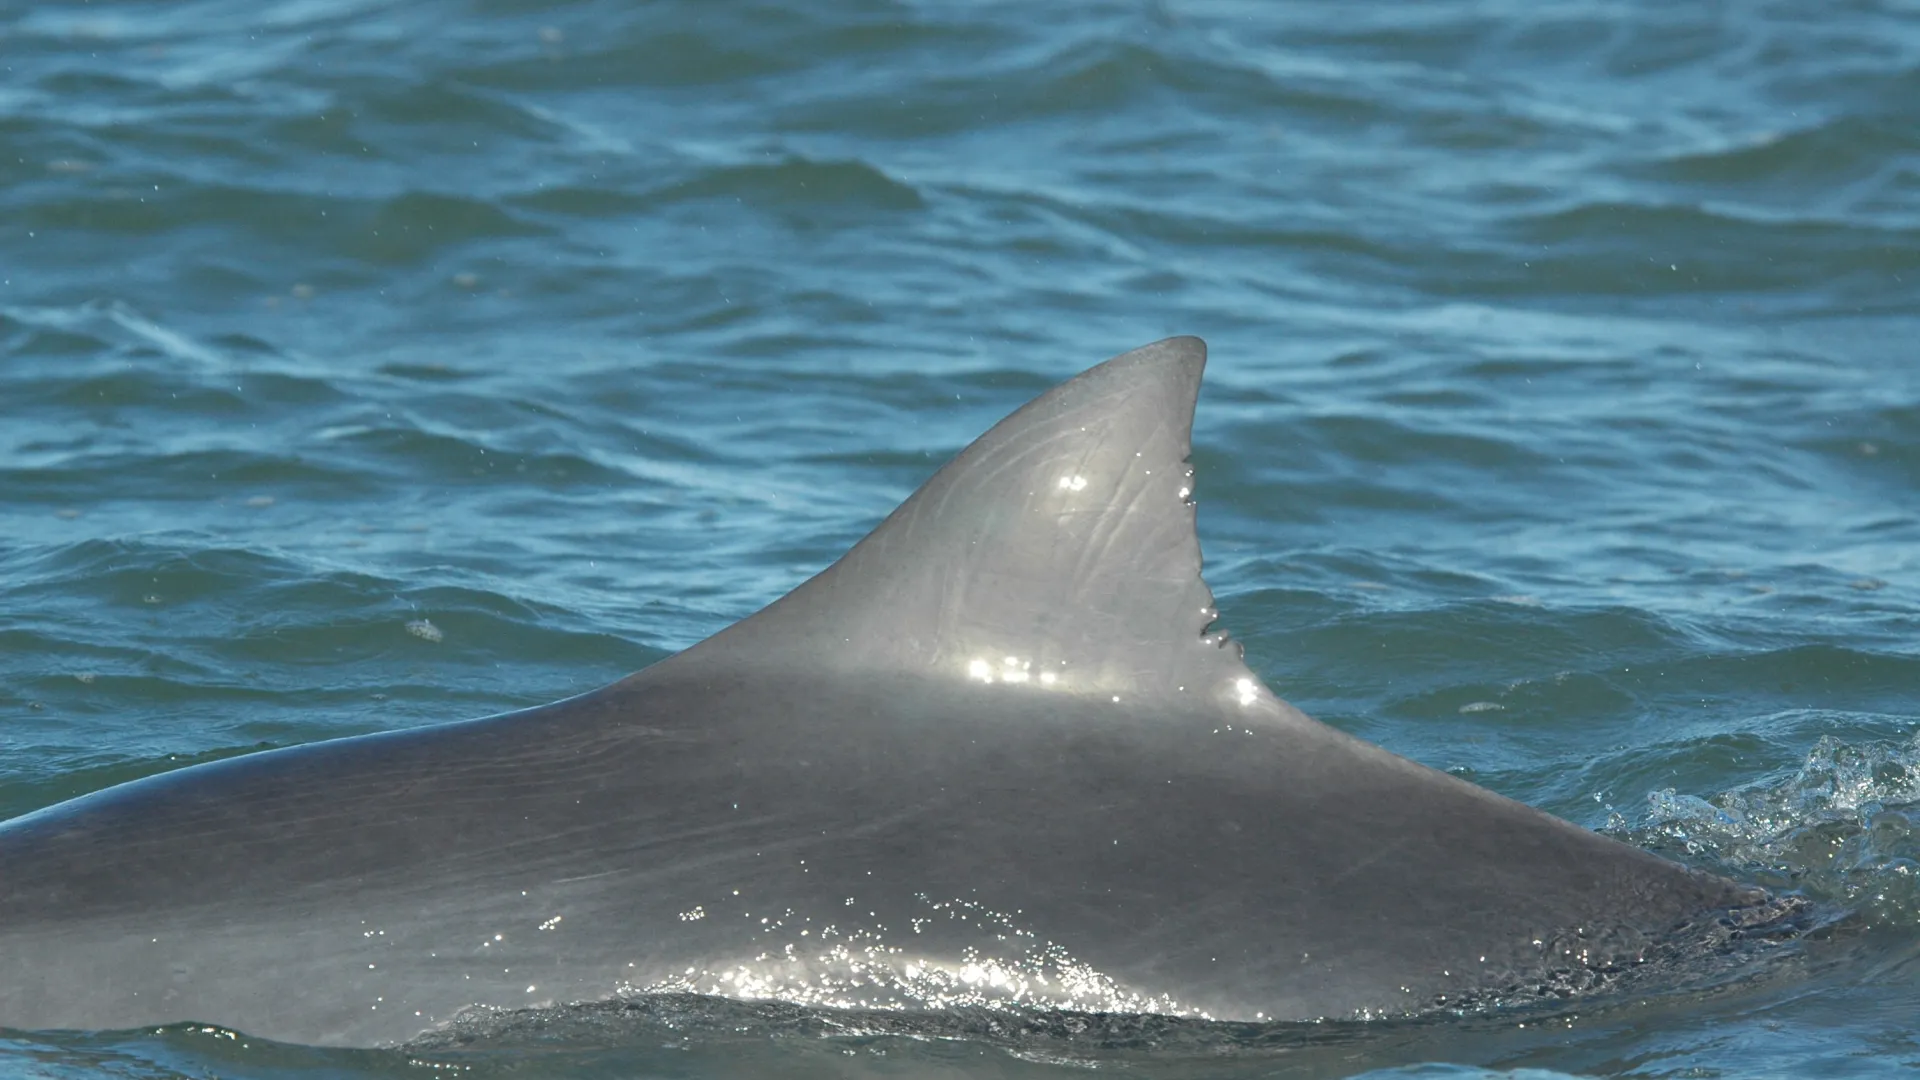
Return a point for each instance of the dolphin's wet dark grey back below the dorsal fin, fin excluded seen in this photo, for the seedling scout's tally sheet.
(364, 891)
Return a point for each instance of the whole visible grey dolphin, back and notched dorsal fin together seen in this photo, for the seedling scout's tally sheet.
(996, 754)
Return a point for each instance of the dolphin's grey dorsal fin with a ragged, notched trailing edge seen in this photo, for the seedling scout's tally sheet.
(1057, 552)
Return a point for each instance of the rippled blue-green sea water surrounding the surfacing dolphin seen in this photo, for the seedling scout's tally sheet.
(383, 364)
